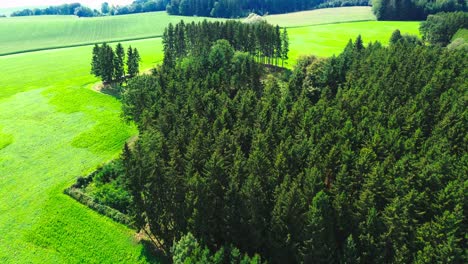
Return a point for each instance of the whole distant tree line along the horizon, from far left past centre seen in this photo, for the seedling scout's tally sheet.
(207, 8)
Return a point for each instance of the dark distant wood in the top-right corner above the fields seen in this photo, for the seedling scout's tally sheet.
(414, 9)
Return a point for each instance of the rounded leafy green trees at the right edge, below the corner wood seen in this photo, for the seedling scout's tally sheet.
(439, 29)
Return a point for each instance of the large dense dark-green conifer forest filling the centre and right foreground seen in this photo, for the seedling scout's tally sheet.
(359, 158)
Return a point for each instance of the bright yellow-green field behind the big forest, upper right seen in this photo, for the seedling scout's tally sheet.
(326, 40)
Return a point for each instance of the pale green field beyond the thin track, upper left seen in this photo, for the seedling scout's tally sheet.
(19, 34)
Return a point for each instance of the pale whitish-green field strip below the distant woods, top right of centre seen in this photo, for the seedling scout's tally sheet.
(323, 16)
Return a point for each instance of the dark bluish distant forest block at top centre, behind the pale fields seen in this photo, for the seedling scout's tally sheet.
(239, 8)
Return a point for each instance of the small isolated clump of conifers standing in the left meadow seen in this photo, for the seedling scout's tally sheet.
(109, 65)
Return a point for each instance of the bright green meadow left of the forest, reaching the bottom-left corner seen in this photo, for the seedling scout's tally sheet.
(53, 128)
